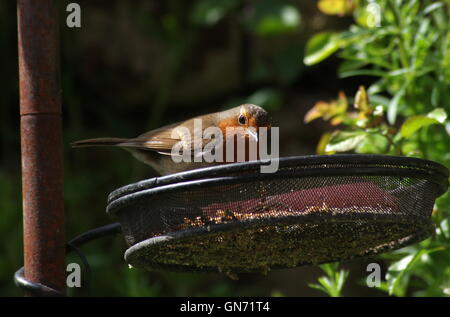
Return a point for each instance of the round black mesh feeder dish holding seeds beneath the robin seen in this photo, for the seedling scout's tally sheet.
(314, 209)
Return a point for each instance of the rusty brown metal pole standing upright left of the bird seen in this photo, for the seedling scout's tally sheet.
(41, 142)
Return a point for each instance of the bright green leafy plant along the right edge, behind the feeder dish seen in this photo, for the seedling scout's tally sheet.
(405, 47)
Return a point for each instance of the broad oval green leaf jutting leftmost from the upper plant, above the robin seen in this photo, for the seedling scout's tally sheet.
(321, 46)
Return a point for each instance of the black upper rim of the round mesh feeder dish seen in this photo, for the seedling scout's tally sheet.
(311, 166)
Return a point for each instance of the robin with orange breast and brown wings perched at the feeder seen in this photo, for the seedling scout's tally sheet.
(155, 147)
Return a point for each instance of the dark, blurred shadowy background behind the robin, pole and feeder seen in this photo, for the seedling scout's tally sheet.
(137, 65)
